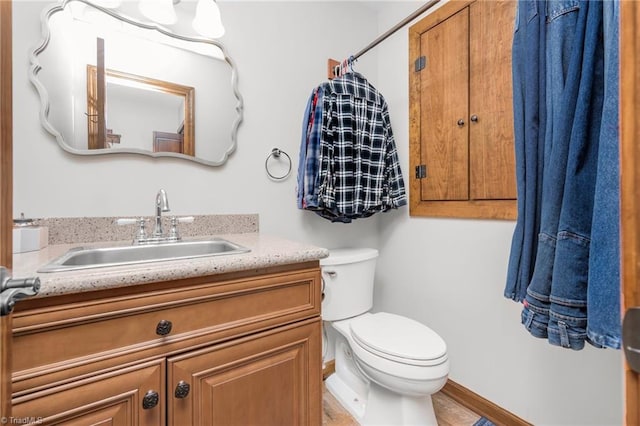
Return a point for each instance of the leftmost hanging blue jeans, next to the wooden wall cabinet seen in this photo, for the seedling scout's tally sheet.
(528, 58)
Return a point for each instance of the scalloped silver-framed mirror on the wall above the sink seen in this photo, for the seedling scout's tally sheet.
(110, 82)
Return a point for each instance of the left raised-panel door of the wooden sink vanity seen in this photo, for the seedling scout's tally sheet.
(129, 396)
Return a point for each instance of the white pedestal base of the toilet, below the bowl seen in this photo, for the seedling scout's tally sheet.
(381, 406)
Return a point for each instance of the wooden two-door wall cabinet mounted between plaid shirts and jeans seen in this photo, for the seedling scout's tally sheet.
(462, 153)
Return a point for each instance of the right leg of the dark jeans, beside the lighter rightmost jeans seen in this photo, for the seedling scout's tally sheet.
(568, 323)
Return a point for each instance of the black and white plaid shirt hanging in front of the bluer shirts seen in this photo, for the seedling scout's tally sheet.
(359, 171)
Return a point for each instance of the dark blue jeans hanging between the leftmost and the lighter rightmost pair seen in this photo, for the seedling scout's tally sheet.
(556, 301)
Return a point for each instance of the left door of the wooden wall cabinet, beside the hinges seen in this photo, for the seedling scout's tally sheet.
(444, 102)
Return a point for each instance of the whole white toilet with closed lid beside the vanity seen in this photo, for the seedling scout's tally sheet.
(387, 366)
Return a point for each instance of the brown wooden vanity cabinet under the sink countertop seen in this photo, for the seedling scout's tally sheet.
(230, 349)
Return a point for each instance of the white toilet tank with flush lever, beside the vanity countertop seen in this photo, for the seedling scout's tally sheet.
(347, 282)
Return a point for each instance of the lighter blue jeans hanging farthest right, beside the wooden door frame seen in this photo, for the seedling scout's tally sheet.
(603, 301)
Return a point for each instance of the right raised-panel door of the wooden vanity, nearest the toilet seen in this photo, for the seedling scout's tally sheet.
(272, 378)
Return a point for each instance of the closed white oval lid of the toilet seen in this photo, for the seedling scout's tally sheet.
(398, 338)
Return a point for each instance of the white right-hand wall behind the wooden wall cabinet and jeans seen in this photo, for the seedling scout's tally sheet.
(450, 274)
